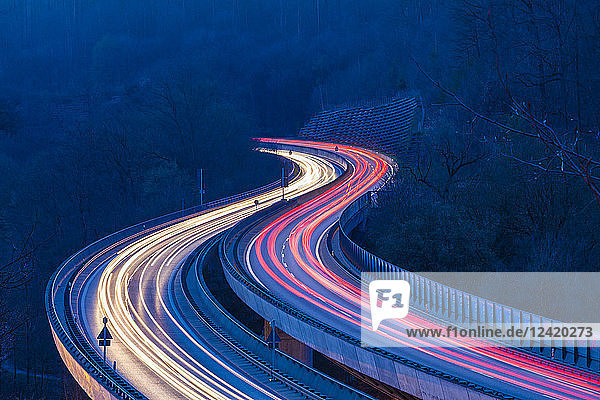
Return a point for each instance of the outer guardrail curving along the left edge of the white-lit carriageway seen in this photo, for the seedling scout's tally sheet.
(58, 293)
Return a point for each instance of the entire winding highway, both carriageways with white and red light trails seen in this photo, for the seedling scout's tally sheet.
(163, 349)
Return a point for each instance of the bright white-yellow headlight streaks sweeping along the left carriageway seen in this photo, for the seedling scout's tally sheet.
(143, 268)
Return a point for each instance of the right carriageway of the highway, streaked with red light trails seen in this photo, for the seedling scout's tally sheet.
(288, 258)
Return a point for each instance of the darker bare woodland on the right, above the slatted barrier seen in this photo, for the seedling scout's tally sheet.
(506, 175)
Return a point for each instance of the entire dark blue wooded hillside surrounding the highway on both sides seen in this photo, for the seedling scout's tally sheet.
(108, 108)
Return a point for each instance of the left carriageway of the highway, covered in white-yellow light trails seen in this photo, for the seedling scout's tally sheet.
(160, 346)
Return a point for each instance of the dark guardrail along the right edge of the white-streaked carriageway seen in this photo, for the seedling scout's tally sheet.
(253, 347)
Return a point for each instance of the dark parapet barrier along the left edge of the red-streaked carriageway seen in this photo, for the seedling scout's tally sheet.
(234, 272)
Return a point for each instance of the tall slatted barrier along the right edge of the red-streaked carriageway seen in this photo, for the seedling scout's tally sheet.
(454, 305)
